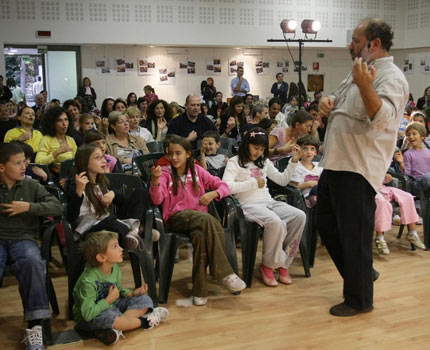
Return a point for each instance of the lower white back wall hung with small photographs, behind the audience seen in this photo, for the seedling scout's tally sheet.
(335, 65)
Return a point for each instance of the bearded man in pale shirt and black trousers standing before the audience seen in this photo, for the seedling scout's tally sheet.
(364, 115)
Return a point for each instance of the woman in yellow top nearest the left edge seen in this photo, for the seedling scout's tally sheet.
(25, 131)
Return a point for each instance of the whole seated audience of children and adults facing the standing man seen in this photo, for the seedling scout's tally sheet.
(109, 139)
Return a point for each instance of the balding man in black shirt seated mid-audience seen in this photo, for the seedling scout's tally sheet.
(191, 124)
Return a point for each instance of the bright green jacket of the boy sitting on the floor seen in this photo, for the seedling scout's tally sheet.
(91, 290)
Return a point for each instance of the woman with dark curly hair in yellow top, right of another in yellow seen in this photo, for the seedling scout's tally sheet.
(56, 146)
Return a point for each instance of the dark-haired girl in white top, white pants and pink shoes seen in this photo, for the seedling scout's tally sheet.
(283, 224)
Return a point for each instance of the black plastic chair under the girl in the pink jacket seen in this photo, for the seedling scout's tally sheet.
(170, 242)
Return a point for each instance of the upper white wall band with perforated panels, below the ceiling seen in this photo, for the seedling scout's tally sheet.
(186, 22)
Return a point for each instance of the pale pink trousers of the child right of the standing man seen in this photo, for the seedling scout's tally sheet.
(384, 210)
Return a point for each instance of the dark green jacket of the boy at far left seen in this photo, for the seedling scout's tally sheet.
(26, 225)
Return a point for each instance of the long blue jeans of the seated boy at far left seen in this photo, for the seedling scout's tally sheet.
(30, 270)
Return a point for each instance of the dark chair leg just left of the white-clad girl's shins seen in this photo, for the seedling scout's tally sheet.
(249, 243)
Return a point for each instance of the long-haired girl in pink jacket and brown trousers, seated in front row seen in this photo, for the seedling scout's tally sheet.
(180, 189)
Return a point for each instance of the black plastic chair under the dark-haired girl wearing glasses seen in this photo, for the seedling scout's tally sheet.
(141, 258)
